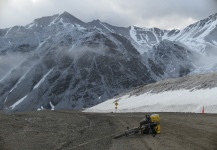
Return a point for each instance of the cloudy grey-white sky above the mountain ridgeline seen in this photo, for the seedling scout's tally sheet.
(164, 14)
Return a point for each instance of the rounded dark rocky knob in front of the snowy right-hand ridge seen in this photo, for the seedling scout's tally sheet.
(174, 59)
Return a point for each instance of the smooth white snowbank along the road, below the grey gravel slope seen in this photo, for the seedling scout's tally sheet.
(167, 101)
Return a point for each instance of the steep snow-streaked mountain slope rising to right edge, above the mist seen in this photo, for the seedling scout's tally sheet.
(200, 36)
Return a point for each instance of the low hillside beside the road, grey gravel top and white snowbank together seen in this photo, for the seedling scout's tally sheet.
(186, 94)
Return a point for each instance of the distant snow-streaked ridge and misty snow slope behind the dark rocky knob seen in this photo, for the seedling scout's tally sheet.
(200, 38)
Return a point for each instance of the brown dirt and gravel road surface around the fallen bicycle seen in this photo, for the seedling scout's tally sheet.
(73, 130)
